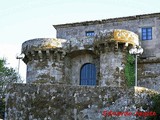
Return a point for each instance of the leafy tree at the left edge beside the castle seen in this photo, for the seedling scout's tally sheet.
(7, 76)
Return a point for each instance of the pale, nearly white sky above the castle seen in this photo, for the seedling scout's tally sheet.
(22, 20)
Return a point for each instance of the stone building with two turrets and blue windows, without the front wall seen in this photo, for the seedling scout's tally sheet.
(88, 53)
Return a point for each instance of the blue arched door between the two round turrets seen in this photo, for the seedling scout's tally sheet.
(88, 74)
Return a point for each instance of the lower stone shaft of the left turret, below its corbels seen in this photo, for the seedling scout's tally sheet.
(45, 71)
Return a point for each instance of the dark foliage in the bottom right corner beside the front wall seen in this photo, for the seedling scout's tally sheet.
(155, 108)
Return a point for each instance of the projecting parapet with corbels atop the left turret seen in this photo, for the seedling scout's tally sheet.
(42, 48)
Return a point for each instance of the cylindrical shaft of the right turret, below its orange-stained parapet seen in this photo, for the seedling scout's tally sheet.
(112, 69)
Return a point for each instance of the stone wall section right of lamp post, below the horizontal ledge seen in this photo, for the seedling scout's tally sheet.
(149, 74)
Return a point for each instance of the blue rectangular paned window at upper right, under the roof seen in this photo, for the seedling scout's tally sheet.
(147, 33)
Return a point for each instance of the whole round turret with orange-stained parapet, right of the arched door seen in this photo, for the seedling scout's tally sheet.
(111, 48)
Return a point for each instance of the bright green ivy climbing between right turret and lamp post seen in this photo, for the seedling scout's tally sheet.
(130, 70)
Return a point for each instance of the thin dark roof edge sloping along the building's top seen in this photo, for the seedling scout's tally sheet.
(85, 23)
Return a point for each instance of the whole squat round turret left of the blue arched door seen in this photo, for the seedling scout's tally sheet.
(43, 58)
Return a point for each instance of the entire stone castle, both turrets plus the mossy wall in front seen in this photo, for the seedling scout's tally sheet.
(80, 74)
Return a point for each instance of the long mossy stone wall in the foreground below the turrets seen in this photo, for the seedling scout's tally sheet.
(62, 102)
